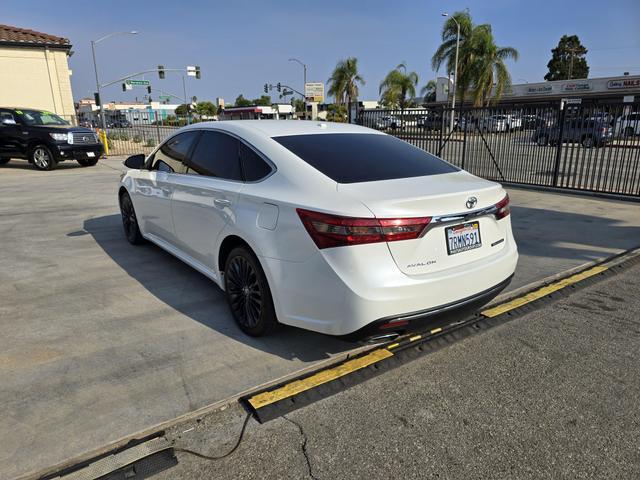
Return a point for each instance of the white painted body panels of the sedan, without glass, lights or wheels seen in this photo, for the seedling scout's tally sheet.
(332, 290)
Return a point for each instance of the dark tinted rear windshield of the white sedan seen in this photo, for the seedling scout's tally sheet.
(362, 157)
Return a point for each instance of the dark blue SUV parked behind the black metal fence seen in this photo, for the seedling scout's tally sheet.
(589, 133)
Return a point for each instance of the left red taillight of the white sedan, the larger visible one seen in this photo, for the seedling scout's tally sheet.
(335, 231)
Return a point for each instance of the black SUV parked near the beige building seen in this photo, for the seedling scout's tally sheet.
(45, 139)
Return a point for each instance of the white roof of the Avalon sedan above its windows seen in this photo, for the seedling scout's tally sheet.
(278, 128)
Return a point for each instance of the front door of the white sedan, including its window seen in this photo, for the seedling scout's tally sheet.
(154, 187)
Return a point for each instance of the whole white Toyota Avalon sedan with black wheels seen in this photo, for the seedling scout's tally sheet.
(329, 227)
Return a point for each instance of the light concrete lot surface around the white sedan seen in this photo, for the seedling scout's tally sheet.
(102, 340)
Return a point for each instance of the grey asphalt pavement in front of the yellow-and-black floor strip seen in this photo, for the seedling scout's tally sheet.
(551, 394)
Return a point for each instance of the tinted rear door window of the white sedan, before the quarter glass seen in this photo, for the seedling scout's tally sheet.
(216, 155)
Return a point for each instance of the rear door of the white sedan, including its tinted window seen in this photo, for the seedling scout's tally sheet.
(204, 200)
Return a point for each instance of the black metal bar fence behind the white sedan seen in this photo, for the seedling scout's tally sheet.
(584, 147)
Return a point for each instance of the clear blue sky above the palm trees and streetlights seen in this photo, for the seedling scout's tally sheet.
(241, 44)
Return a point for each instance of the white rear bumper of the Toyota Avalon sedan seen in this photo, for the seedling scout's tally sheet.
(338, 293)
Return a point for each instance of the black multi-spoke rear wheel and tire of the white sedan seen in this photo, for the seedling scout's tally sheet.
(248, 293)
